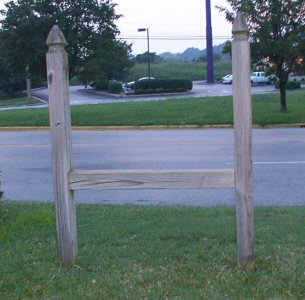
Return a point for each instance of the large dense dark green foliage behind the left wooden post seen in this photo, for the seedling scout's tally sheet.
(95, 54)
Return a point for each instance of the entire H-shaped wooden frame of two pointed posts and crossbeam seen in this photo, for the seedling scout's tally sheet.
(66, 179)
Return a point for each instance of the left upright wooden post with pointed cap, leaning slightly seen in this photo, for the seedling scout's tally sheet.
(60, 125)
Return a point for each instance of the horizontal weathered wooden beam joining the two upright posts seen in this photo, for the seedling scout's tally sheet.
(151, 179)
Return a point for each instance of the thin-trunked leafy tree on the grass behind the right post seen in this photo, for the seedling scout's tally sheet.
(277, 35)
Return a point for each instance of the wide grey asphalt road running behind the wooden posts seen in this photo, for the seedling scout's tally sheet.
(279, 164)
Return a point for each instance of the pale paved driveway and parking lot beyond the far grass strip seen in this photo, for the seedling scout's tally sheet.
(79, 95)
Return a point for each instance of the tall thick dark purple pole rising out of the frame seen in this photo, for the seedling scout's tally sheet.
(209, 41)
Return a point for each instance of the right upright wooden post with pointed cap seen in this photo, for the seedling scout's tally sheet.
(243, 144)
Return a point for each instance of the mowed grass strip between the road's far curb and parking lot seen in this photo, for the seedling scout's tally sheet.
(187, 111)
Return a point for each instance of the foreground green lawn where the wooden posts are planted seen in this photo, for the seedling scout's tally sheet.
(150, 252)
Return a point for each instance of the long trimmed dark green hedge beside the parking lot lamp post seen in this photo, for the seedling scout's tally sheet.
(162, 86)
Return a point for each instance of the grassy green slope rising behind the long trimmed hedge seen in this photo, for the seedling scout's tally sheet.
(180, 69)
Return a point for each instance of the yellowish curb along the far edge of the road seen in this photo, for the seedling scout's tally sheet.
(149, 127)
